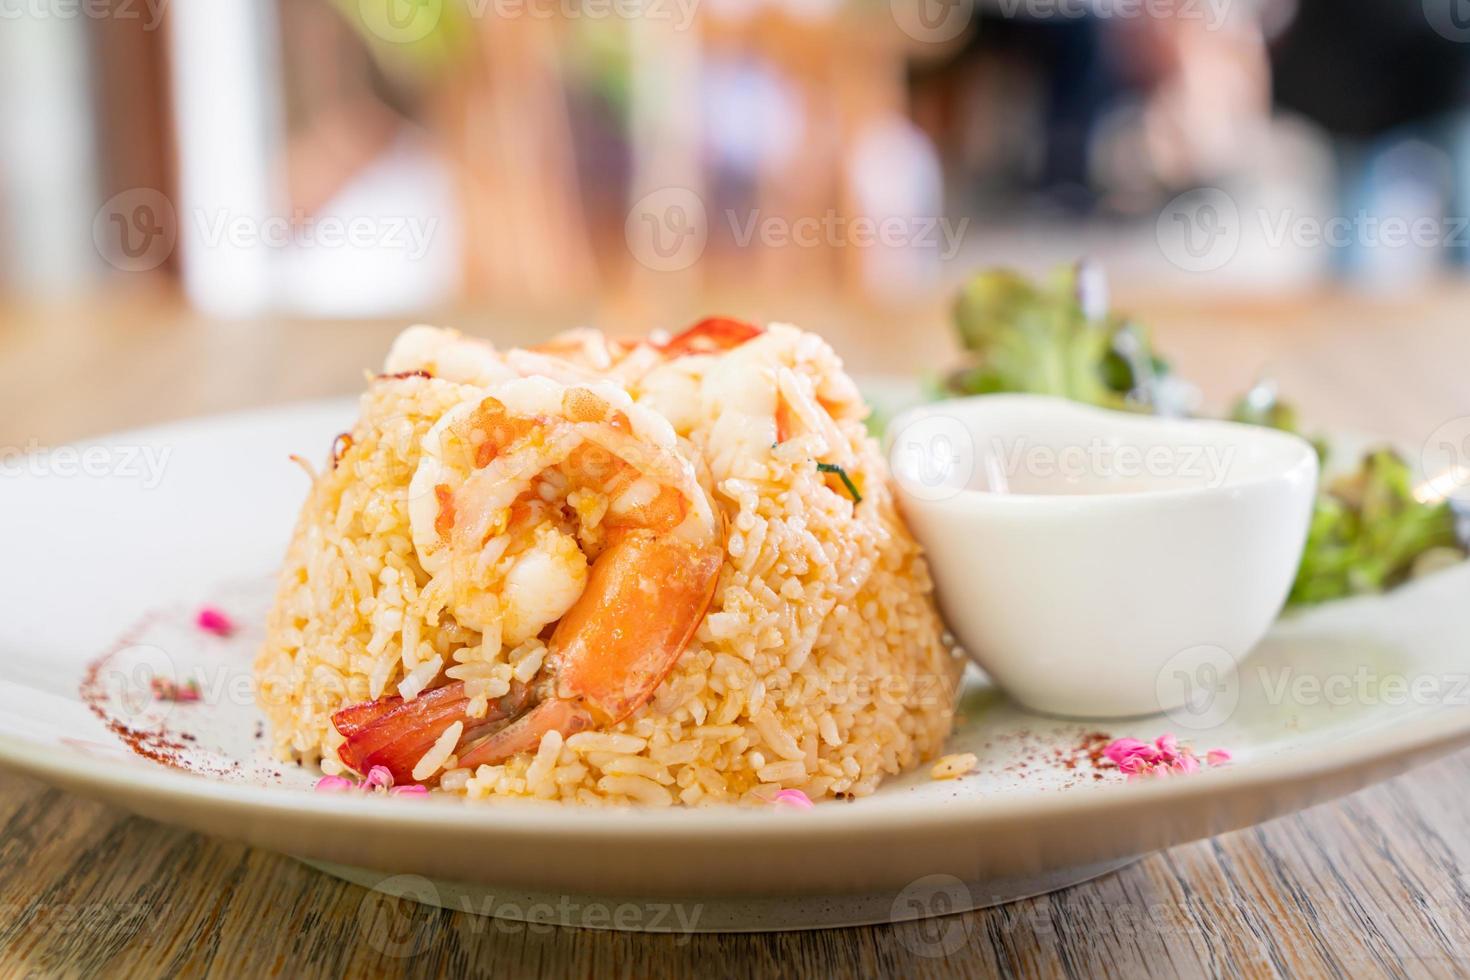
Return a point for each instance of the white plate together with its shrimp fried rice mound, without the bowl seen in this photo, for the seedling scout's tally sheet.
(624, 618)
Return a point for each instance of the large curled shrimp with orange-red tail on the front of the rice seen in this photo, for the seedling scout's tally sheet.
(543, 505)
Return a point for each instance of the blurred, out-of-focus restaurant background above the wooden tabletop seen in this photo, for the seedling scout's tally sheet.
(625, 159)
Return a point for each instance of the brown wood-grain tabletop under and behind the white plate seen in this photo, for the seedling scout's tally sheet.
(1378, 884)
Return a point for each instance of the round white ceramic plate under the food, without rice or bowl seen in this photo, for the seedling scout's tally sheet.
(104, 555)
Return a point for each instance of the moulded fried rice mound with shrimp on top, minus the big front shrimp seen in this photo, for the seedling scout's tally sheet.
(820, 666)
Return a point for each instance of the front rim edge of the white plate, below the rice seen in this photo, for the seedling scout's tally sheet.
(1443, 731)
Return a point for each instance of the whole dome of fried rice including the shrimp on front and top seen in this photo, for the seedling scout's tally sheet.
(600, 571)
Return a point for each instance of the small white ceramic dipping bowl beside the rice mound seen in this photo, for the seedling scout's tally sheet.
(1096, 563)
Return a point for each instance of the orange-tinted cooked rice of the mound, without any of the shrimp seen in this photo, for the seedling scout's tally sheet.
(821, 665)
